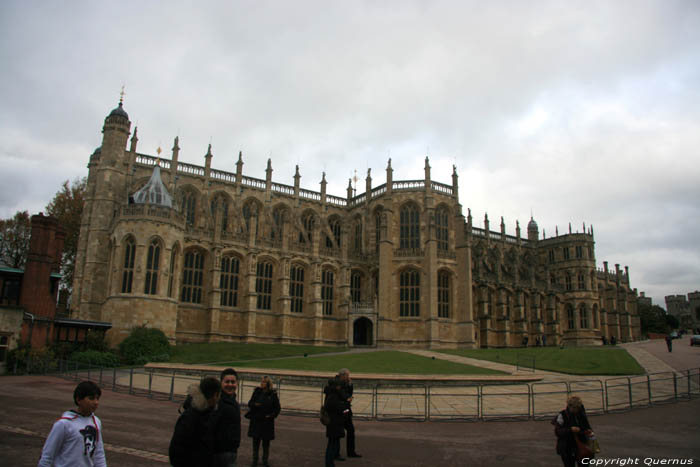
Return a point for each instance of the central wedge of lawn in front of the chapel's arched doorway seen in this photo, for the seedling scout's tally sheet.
(384, 361)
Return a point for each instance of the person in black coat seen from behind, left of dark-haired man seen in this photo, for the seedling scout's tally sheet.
(192, 444)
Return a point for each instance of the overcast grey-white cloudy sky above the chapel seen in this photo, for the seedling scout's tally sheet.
(573, 111)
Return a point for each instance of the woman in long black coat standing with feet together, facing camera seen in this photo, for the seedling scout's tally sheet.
(263, 408)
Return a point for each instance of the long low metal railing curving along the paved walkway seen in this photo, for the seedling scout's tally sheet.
(407, 401)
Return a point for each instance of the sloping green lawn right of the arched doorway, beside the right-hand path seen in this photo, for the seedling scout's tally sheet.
(573, 360)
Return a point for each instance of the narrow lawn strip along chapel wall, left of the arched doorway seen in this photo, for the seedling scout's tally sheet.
(231, 351)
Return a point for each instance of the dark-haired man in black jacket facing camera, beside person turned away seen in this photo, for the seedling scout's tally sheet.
(227, 428)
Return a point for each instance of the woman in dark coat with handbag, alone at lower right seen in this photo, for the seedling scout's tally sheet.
(573, 432)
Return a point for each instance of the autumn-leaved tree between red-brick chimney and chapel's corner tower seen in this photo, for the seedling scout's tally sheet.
(67, 207)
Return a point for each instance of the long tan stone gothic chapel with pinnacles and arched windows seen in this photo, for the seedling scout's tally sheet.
(207, 255)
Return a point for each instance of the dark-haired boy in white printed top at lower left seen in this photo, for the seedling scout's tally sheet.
(76, 437)
